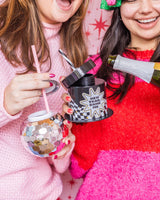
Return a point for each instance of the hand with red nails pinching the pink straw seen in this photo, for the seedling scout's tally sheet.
(25, 90)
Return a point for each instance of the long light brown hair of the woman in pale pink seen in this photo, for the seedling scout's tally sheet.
(20, 27)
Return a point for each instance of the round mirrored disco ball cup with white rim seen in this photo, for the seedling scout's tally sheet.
(42, 133)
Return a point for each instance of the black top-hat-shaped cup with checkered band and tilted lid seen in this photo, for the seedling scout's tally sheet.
(88, 95)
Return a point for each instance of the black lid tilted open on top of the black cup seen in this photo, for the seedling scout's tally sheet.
(78, 73)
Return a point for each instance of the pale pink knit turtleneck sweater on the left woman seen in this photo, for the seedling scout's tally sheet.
(22, 175)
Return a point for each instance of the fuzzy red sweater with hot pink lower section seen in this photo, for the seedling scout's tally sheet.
(119, 157)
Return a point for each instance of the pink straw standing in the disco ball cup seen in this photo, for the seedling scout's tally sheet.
(38, 70)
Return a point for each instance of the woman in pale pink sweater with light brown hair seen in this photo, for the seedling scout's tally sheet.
(49, 25)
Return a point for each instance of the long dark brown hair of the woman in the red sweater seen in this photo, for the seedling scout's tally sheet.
(116, 41)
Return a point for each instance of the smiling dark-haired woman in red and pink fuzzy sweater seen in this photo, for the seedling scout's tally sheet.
(119, 157)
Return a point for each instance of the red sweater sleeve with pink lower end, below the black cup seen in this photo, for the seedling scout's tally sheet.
(87, 146)
